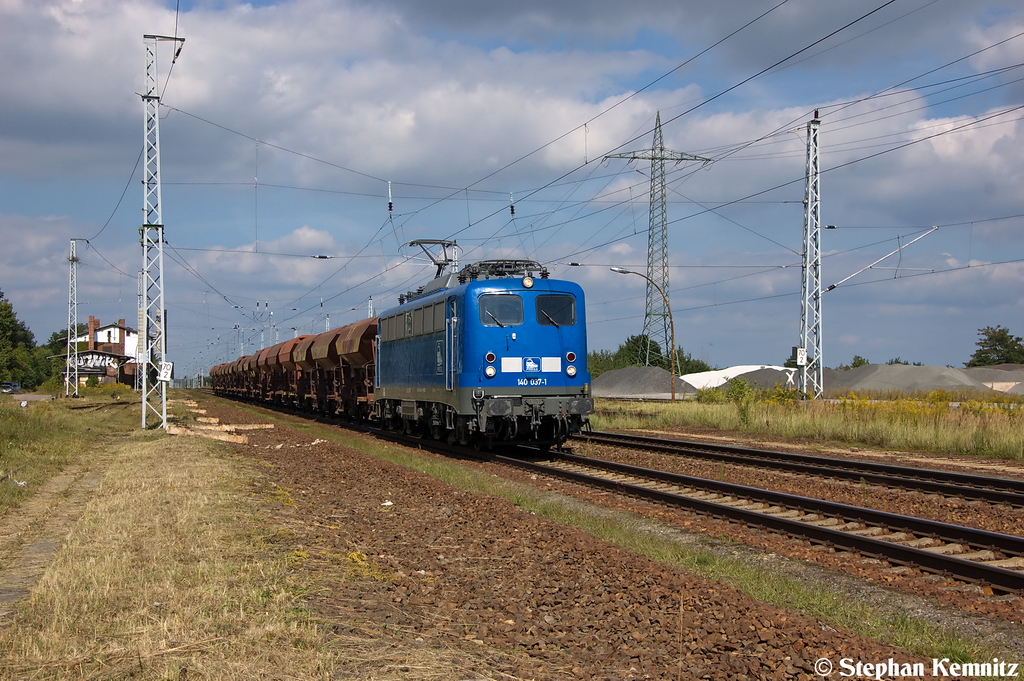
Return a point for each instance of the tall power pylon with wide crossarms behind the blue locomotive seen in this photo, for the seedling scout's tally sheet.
(656, 323)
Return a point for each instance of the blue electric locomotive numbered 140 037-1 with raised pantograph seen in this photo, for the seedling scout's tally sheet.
(494, 353)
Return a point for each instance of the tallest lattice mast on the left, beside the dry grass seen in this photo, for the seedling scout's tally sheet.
(153, 331)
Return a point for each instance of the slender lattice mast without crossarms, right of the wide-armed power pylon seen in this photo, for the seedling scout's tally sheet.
(812, 374)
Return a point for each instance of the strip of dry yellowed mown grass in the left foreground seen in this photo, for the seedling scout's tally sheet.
(161, 575)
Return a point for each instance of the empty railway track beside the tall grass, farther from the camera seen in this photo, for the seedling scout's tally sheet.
(982, 488)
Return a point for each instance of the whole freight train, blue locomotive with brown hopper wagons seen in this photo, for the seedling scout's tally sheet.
(494, 353)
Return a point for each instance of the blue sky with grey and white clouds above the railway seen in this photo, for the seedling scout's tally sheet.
(287, 126)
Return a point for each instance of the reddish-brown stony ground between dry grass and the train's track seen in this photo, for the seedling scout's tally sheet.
(400, 555)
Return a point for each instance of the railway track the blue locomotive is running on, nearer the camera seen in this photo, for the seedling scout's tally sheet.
(965, 554)
